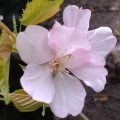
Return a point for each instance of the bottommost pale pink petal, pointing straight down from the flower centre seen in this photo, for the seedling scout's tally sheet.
(69, 96)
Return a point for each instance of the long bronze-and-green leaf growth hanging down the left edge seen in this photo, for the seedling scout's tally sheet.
(5, 52)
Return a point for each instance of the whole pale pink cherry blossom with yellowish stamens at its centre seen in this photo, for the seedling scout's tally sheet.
(58, 59)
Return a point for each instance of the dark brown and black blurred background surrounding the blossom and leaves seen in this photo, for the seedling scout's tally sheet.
(98, 106)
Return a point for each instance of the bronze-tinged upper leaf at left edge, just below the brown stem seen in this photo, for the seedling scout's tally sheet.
(5, 48)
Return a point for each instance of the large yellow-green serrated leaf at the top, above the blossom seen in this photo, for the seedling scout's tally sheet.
(38, 11)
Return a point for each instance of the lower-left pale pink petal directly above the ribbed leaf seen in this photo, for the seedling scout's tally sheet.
(37, 82)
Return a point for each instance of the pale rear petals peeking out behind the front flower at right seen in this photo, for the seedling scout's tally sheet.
(101, 39)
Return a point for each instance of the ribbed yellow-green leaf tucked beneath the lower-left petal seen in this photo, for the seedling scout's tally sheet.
(24, 102)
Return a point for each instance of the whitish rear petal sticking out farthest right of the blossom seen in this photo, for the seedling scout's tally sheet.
(102, 40)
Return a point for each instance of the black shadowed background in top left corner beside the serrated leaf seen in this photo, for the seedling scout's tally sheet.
(10, 7)
